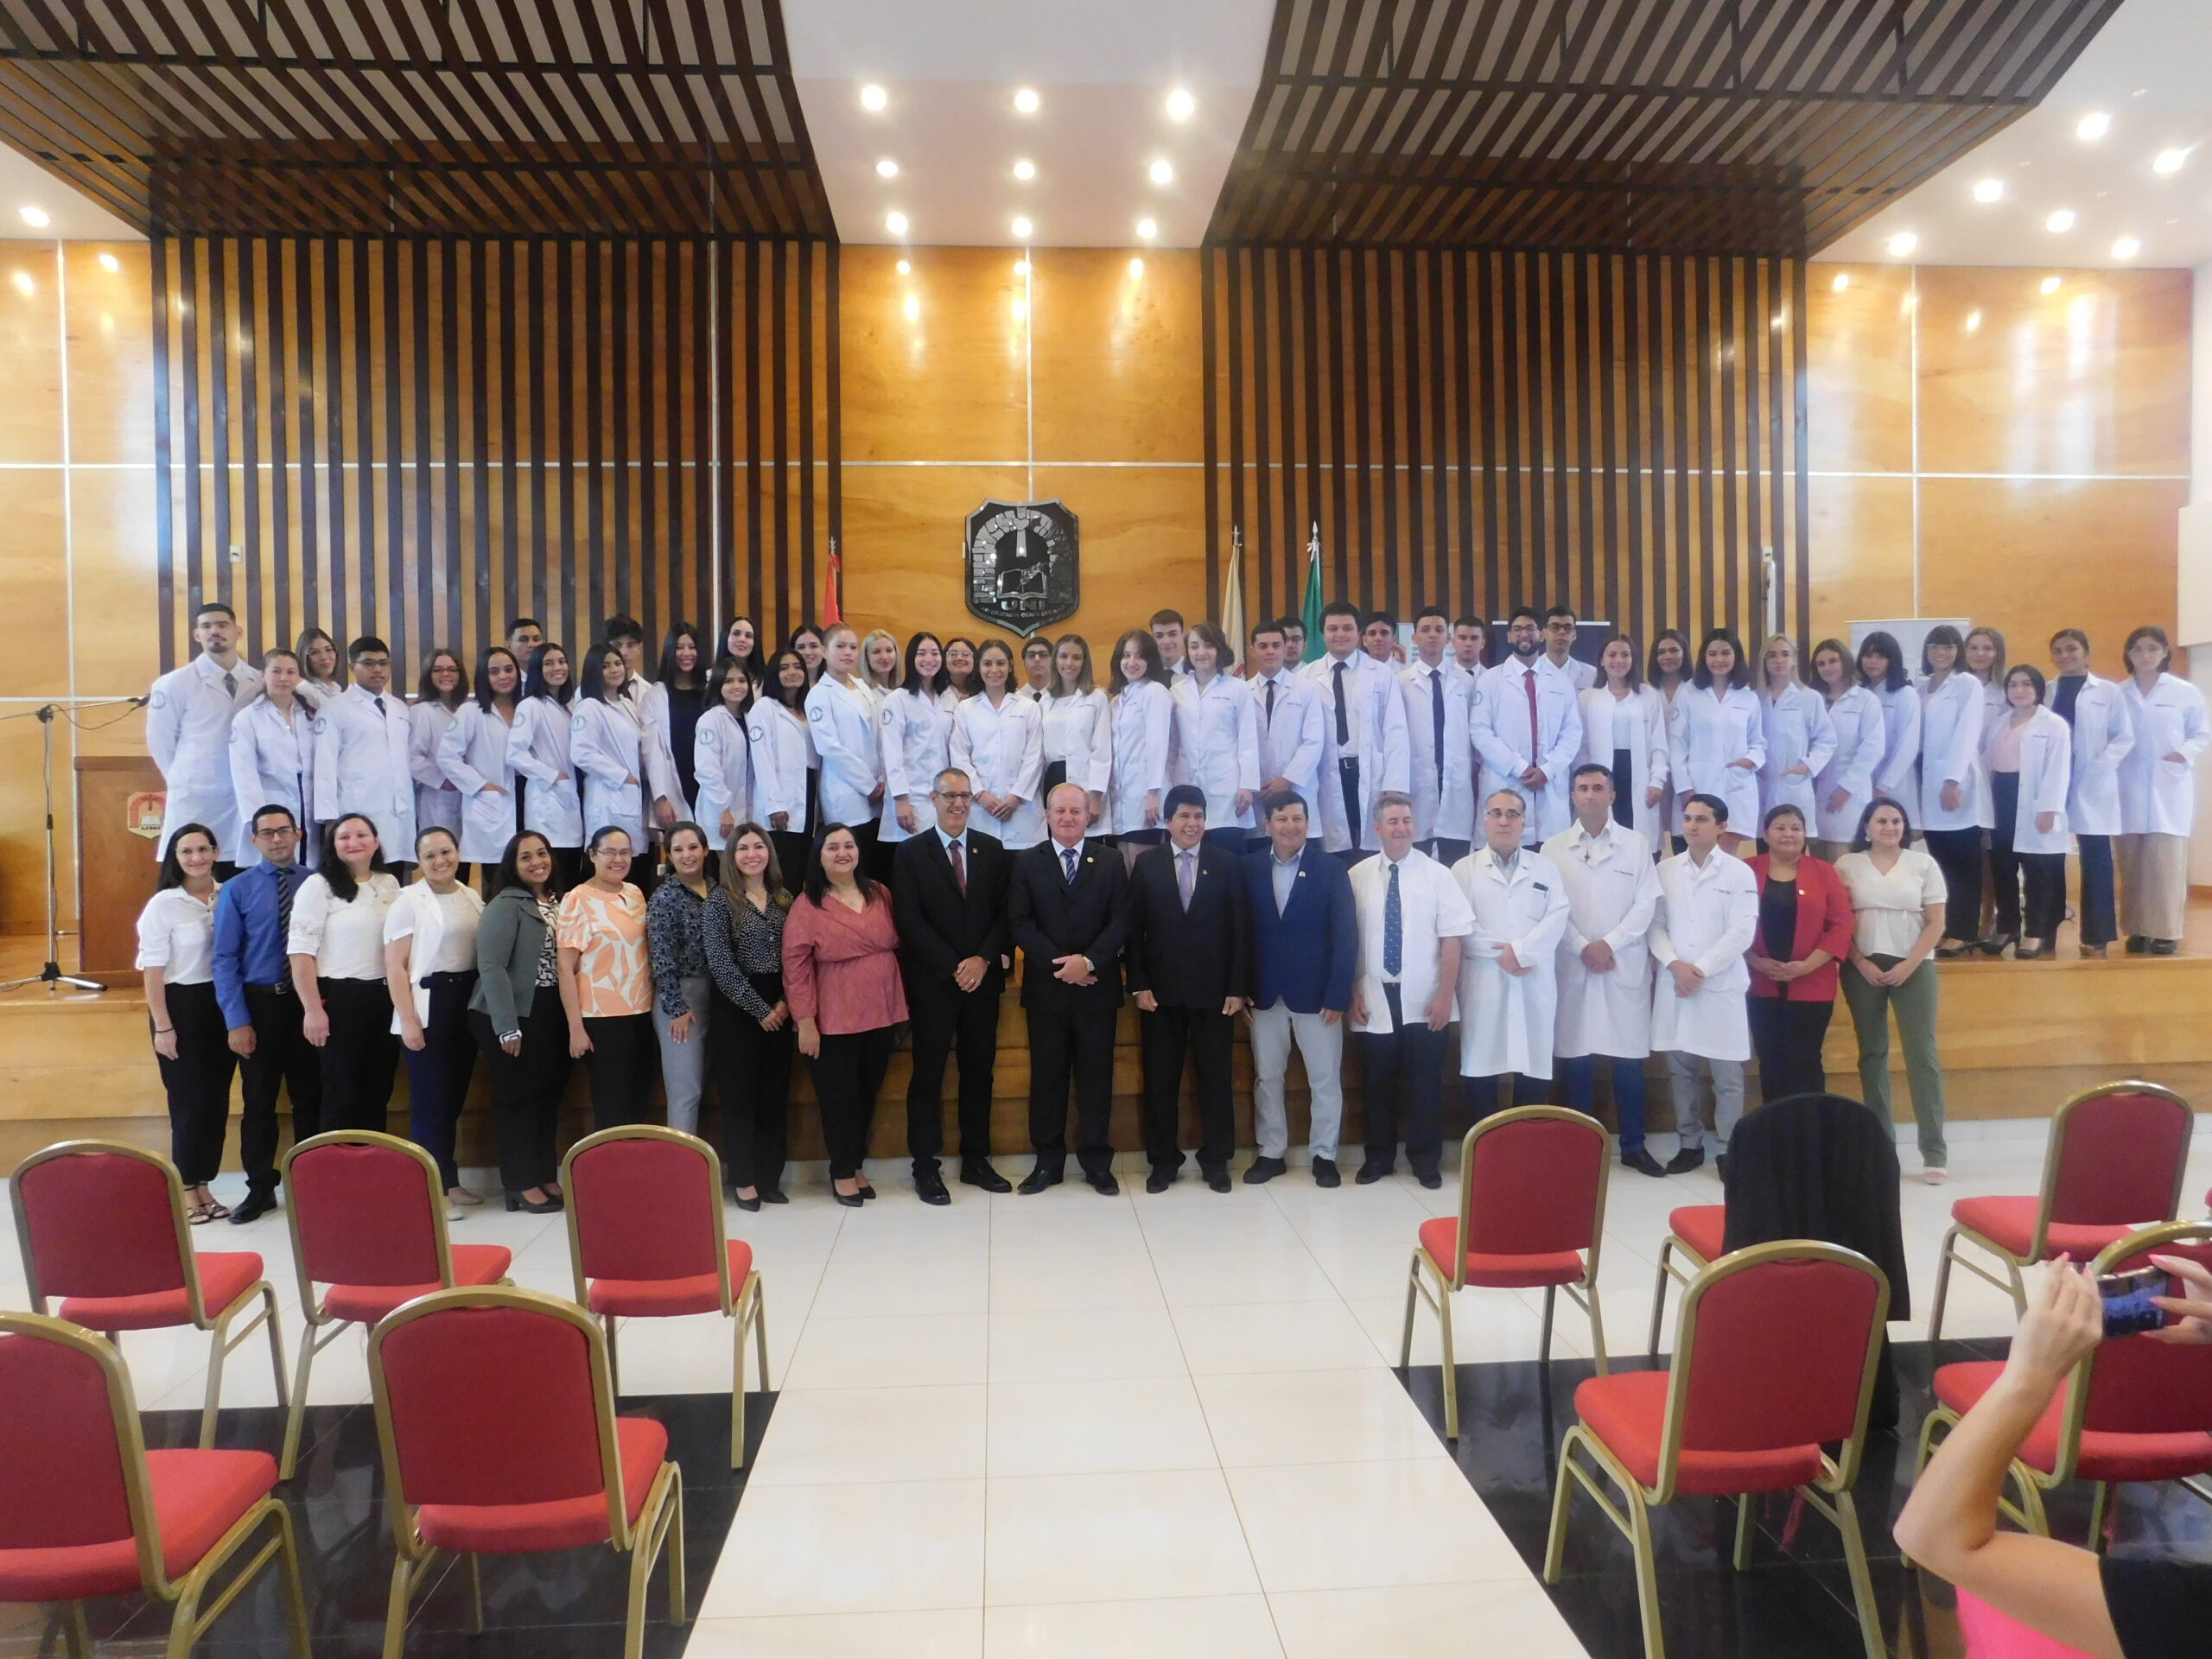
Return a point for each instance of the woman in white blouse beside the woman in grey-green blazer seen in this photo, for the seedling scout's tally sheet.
(430, 970)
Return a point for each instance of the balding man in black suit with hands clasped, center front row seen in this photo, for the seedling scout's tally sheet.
(1070, 917)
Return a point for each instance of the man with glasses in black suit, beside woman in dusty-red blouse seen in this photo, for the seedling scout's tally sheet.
(950, 901)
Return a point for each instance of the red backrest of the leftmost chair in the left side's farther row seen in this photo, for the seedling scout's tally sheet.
(103, 1220)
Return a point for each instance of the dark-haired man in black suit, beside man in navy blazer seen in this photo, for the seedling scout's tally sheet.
(1187, 970)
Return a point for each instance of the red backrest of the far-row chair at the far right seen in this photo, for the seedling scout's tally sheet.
(2116, 1158)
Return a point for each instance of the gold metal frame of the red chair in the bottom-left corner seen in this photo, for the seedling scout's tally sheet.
(191, 1620)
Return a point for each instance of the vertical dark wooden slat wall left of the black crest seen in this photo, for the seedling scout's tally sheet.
(426, 437)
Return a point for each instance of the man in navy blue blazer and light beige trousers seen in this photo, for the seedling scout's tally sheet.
(1306, 943)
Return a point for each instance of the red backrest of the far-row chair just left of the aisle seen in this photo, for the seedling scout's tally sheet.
(645, 1202)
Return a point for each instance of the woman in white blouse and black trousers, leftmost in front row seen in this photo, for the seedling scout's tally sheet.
(189, 1034)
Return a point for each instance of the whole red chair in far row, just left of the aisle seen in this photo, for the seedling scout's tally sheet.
(647, 1242)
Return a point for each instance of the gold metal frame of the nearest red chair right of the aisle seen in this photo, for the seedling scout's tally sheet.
(1830, 1494)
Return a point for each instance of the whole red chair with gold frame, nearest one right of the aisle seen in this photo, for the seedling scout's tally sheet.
(1775, 1361)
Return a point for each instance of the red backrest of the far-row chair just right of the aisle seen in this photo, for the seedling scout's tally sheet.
(1534, 1182)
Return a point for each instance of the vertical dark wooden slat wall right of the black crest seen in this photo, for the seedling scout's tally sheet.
(1481, 430)
